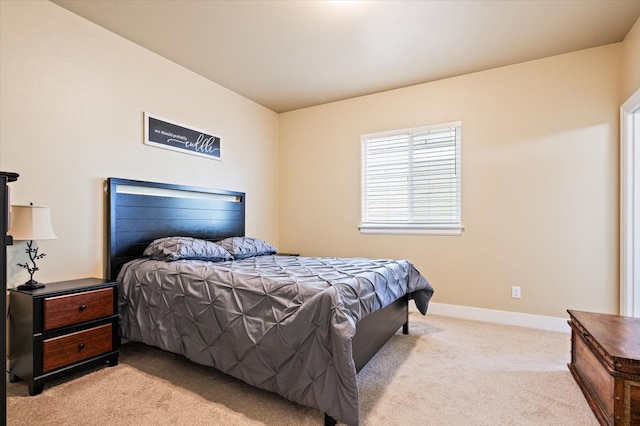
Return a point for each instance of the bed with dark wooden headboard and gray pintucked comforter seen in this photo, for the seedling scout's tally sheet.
(298, 326)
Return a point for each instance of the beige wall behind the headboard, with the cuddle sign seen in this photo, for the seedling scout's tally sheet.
(71, 109)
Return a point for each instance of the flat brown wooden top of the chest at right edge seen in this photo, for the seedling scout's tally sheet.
(619, 336)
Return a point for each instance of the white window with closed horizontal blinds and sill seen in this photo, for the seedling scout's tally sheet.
(411, 181)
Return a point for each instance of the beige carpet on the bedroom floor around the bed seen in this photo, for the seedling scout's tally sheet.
(446, 372)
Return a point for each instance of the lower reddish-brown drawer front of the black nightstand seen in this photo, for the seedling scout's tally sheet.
(71, 348)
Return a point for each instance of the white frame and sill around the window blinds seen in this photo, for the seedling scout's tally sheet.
(422, 228)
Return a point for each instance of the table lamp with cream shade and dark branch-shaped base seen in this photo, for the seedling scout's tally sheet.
(29, 223)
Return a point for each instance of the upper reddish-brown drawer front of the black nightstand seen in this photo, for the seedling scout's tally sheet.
(76, 308)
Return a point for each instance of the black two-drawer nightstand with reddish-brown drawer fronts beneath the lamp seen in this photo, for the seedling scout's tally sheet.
(62, 328)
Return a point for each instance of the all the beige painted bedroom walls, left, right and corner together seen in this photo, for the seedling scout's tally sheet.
(540, 159)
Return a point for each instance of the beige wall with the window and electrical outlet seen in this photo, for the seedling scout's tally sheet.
(539, 183)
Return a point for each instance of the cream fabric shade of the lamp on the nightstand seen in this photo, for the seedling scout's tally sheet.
(31, 223)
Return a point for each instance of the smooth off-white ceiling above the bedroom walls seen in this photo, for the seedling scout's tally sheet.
(287, 55)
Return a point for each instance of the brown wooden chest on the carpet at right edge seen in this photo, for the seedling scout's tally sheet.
(605, 362)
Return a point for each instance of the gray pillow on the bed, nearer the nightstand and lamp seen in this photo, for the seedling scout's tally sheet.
(175, 248)
